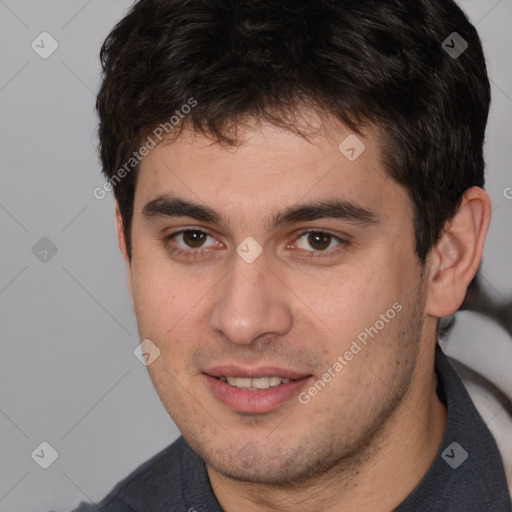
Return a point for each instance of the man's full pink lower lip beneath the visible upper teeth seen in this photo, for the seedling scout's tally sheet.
(253, 402)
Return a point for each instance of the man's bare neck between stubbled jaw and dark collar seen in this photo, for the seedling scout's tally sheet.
(393, 463)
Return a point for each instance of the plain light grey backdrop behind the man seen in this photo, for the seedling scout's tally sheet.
(68, 375)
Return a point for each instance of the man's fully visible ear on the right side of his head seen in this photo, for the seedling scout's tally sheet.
(455, 259)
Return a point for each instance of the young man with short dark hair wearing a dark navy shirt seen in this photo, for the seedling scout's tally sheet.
(299, 201)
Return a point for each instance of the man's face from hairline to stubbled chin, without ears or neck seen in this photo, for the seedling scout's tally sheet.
(303, 304)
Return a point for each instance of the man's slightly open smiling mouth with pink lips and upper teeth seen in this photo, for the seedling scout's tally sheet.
(255, 391)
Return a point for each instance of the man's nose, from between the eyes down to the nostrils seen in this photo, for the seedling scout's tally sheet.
(251, 303)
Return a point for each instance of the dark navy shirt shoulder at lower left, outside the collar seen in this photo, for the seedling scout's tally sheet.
(156, 481)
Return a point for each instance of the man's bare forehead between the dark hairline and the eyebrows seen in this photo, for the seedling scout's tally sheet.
(271, 169)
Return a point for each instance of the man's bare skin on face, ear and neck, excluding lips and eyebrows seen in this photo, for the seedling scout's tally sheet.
(371, 434)
